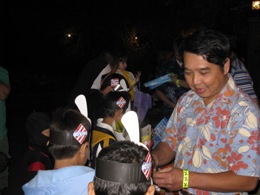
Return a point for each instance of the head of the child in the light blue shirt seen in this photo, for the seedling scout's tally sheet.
(69, 135)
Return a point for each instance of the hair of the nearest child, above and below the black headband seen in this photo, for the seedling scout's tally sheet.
(123, 152)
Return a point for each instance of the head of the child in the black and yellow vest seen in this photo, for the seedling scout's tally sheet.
(116, 103)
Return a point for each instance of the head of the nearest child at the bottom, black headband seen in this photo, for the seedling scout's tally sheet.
(122, 169)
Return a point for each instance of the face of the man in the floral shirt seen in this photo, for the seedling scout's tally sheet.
(203, 77)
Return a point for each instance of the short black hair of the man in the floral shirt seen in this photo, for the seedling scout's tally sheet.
(212, 45)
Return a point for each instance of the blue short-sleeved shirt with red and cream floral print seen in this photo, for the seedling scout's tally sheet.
(219, 137)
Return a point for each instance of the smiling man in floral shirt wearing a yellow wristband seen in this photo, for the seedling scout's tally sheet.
(213, 133)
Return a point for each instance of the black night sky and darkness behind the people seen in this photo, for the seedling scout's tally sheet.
(43, 62)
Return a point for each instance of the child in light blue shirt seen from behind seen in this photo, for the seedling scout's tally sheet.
(69, 139)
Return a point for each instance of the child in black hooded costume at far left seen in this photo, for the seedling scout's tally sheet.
(37, 156)
